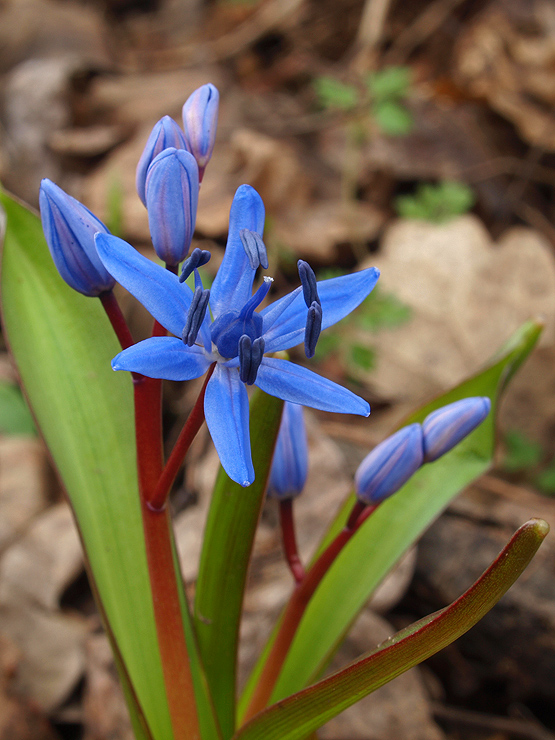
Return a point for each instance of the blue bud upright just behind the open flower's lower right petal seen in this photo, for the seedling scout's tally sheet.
(290, 463)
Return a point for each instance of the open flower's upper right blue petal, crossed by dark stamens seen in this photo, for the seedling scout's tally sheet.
(339, 296)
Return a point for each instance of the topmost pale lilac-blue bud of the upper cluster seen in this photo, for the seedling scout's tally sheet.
(200, 121)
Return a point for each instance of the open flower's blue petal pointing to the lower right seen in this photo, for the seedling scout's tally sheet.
(297, 384)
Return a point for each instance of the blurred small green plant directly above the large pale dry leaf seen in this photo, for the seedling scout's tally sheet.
(436, 203)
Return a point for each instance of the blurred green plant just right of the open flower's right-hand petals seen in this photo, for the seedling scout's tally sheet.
(382, 312)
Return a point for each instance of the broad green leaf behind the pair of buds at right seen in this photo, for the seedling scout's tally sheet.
(394, 526)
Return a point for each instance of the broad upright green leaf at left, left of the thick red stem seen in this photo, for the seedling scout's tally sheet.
(63, 344)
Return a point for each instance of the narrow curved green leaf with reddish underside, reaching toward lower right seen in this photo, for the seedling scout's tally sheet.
(295, 717)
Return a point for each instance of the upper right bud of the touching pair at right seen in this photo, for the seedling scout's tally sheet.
(446, 427)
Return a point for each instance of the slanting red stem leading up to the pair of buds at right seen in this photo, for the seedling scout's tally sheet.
(296, 607)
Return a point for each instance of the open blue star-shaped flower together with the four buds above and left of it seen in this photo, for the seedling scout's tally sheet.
(222, 329)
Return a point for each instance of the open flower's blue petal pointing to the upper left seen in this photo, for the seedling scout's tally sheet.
(157, 289)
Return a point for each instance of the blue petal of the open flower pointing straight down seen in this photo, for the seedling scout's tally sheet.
(226, 408)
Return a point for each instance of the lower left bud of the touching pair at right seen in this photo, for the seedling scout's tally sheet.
(389, 465)
